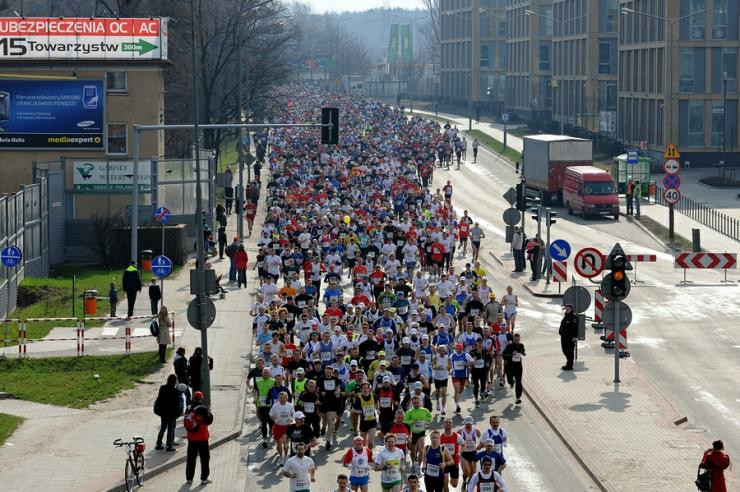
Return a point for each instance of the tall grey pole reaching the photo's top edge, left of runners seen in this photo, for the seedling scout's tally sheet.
(200, 252)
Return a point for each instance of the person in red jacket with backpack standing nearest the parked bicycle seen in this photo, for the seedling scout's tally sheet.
(197, 419)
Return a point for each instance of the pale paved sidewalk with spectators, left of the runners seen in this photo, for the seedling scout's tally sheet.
(64, 449)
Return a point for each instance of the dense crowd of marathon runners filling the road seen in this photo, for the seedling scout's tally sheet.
(374, 318)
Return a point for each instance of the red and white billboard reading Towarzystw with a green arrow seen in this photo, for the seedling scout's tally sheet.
(73, 38)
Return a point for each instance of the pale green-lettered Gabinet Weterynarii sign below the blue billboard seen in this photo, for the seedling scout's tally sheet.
(111, 175)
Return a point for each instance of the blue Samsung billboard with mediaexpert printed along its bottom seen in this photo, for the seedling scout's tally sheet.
(52, 114)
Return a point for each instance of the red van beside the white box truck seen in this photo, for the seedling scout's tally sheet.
(590, 191)
